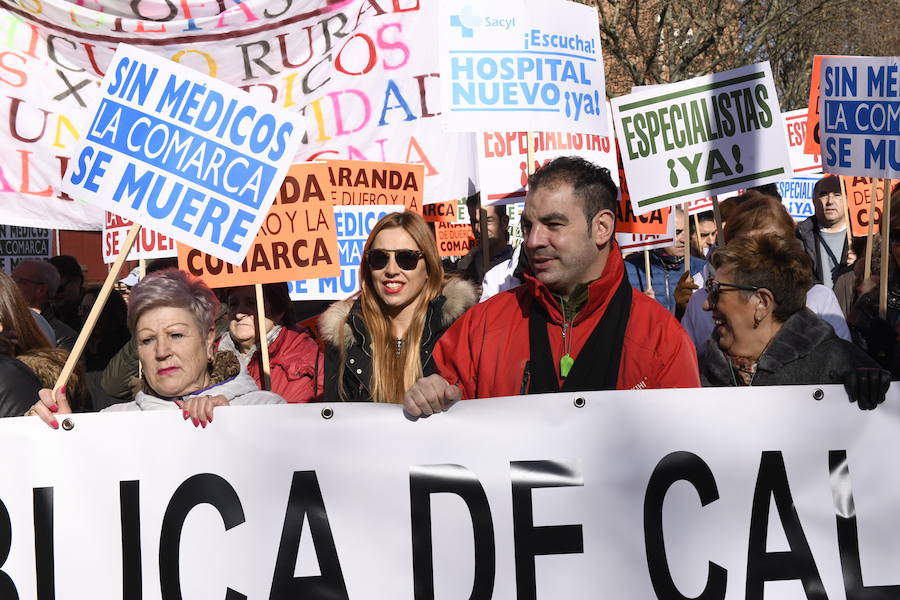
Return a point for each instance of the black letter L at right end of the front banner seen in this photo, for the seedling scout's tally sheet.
(848, 534)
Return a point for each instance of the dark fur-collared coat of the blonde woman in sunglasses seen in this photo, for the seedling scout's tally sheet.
(458, 295)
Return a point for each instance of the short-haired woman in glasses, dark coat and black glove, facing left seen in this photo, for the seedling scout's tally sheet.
(765, 335)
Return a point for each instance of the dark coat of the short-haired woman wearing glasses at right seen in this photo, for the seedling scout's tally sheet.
(805, 352)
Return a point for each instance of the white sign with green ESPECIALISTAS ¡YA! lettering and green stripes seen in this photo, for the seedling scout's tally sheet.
(704, 136)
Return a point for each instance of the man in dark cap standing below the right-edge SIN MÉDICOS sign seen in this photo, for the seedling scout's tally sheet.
(824, 235)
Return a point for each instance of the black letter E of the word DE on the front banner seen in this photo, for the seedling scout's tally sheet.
(531, 541)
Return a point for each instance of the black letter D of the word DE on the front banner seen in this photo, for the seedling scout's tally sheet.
(425, 480)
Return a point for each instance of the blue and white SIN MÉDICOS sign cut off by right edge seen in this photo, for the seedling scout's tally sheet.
(860, 115)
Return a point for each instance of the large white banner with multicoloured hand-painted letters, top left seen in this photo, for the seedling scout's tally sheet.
(363, 75)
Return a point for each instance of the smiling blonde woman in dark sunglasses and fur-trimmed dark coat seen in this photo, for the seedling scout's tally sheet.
(379, 343)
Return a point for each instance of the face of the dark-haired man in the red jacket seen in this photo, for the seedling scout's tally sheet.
(562, 249)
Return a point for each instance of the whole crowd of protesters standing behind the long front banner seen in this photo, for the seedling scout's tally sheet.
(769, 304)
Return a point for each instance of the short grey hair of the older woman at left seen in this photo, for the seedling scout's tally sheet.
(176, 289)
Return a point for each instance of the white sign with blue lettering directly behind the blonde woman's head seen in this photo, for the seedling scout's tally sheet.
(353, 225)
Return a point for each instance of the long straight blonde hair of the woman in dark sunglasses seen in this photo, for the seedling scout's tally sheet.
(392, 375)
